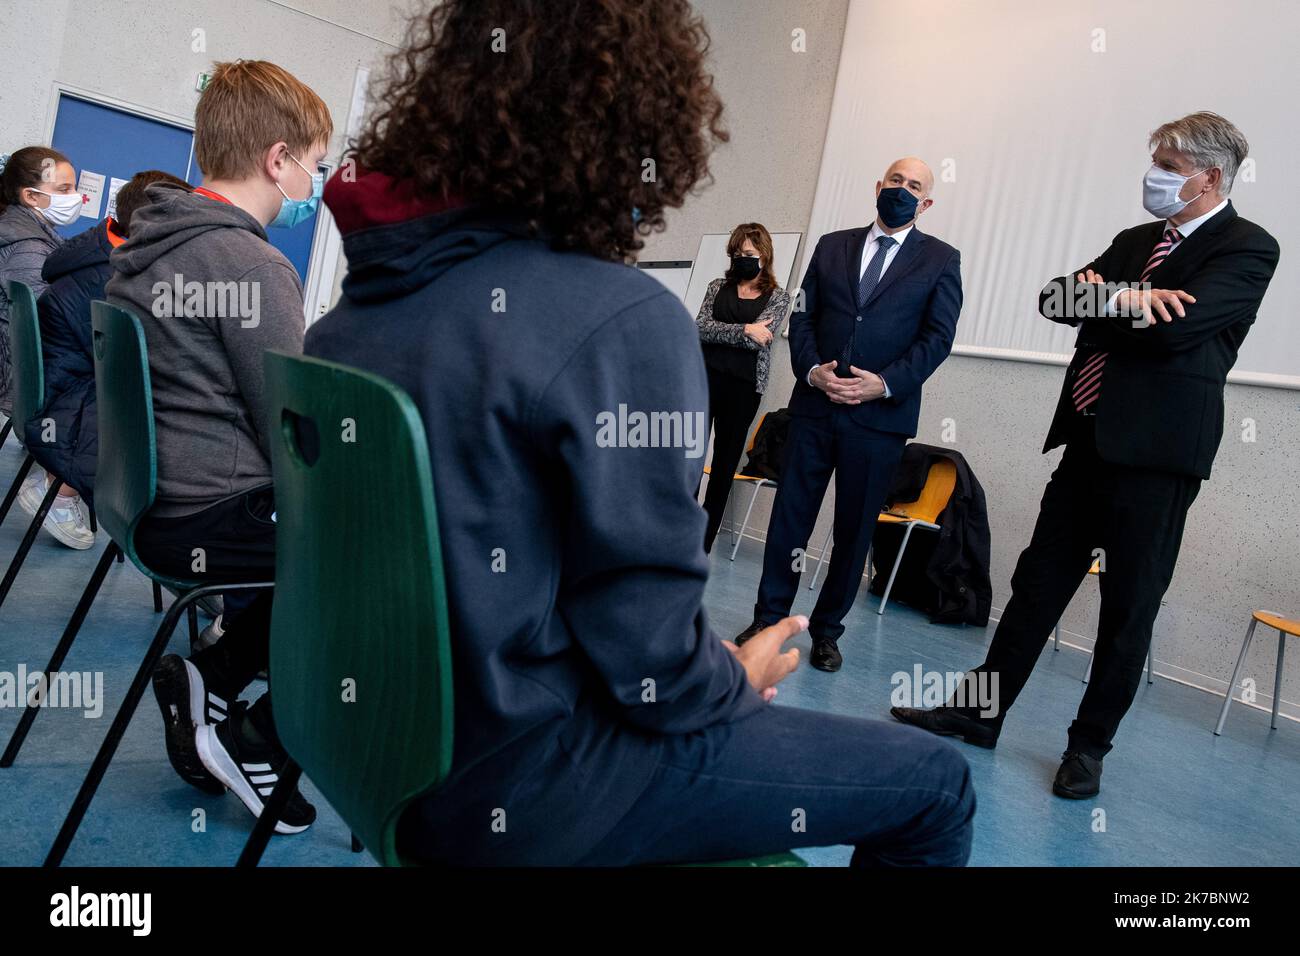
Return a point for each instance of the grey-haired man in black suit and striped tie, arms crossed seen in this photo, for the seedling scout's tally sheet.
(1141, 416)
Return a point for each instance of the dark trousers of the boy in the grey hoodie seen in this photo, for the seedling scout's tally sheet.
(237, 543)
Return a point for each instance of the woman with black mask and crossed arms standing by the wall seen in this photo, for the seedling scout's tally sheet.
(742, 315)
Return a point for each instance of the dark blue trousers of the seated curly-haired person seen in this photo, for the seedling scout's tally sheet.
(786, 778)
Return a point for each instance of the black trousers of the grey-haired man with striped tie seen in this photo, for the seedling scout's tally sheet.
(1137, 518)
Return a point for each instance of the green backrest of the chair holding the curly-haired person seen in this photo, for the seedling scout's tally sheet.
(361, 652)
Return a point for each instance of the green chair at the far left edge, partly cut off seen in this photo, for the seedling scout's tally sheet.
(29, 400)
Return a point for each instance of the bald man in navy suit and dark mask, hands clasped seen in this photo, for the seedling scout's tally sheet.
(878, 315)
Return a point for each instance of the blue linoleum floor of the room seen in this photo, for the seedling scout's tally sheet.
(1173, 794)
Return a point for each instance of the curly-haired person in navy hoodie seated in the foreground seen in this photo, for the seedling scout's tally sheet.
(499, 196)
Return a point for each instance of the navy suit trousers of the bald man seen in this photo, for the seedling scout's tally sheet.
(864, 462)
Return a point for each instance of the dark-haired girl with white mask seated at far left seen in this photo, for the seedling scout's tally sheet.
(38, 192)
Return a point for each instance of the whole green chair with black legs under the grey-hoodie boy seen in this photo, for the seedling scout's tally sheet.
(125, 487)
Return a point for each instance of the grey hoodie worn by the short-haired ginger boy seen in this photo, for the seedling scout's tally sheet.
(213, 296)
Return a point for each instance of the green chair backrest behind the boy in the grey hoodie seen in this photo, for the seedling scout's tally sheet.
(127, 471)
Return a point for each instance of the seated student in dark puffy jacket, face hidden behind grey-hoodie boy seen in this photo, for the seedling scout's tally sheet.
(64, 438)
